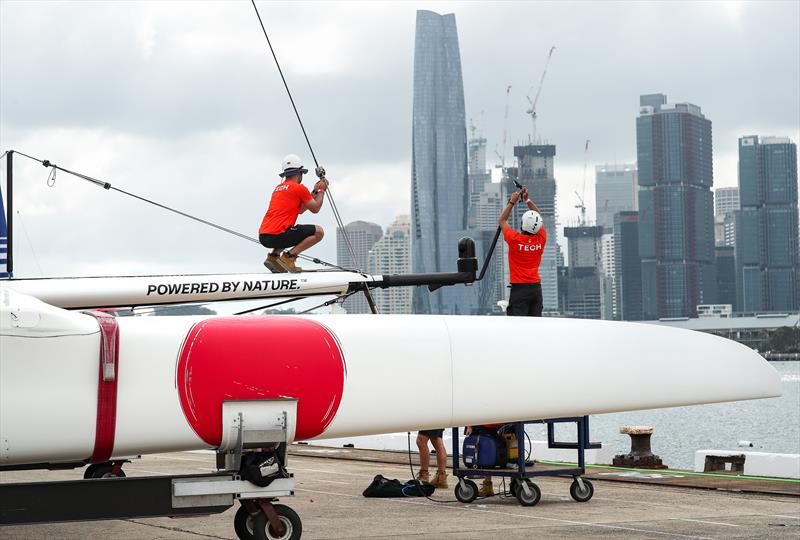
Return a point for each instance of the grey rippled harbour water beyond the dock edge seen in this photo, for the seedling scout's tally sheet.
(771, 425)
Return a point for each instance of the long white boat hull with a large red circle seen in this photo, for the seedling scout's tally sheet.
(350, 375)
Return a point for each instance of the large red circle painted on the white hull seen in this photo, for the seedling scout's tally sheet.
(264, 357)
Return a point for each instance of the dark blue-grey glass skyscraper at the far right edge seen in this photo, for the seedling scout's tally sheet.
(766, 226)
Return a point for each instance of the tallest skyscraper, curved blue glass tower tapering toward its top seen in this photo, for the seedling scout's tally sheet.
(439, 183)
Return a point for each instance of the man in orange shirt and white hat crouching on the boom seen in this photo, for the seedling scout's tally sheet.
(291, 198)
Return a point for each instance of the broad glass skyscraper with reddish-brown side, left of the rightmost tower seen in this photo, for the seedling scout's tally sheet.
(676, 221)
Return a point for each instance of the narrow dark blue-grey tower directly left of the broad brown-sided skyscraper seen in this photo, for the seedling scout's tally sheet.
(627, 267)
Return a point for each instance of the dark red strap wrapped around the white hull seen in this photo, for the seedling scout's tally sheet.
(106, 387)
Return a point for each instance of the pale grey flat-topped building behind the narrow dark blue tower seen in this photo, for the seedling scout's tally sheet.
(615, 191)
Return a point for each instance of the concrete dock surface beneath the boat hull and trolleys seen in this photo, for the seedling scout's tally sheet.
(329, 501)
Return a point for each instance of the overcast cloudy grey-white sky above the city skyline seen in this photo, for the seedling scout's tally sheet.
(181, 102)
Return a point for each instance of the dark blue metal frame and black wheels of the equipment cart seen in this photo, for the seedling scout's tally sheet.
(522, 487)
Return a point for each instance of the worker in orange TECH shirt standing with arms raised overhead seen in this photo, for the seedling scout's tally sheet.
(525, 250)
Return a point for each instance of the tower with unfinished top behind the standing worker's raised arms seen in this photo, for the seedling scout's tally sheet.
(535, 170)
